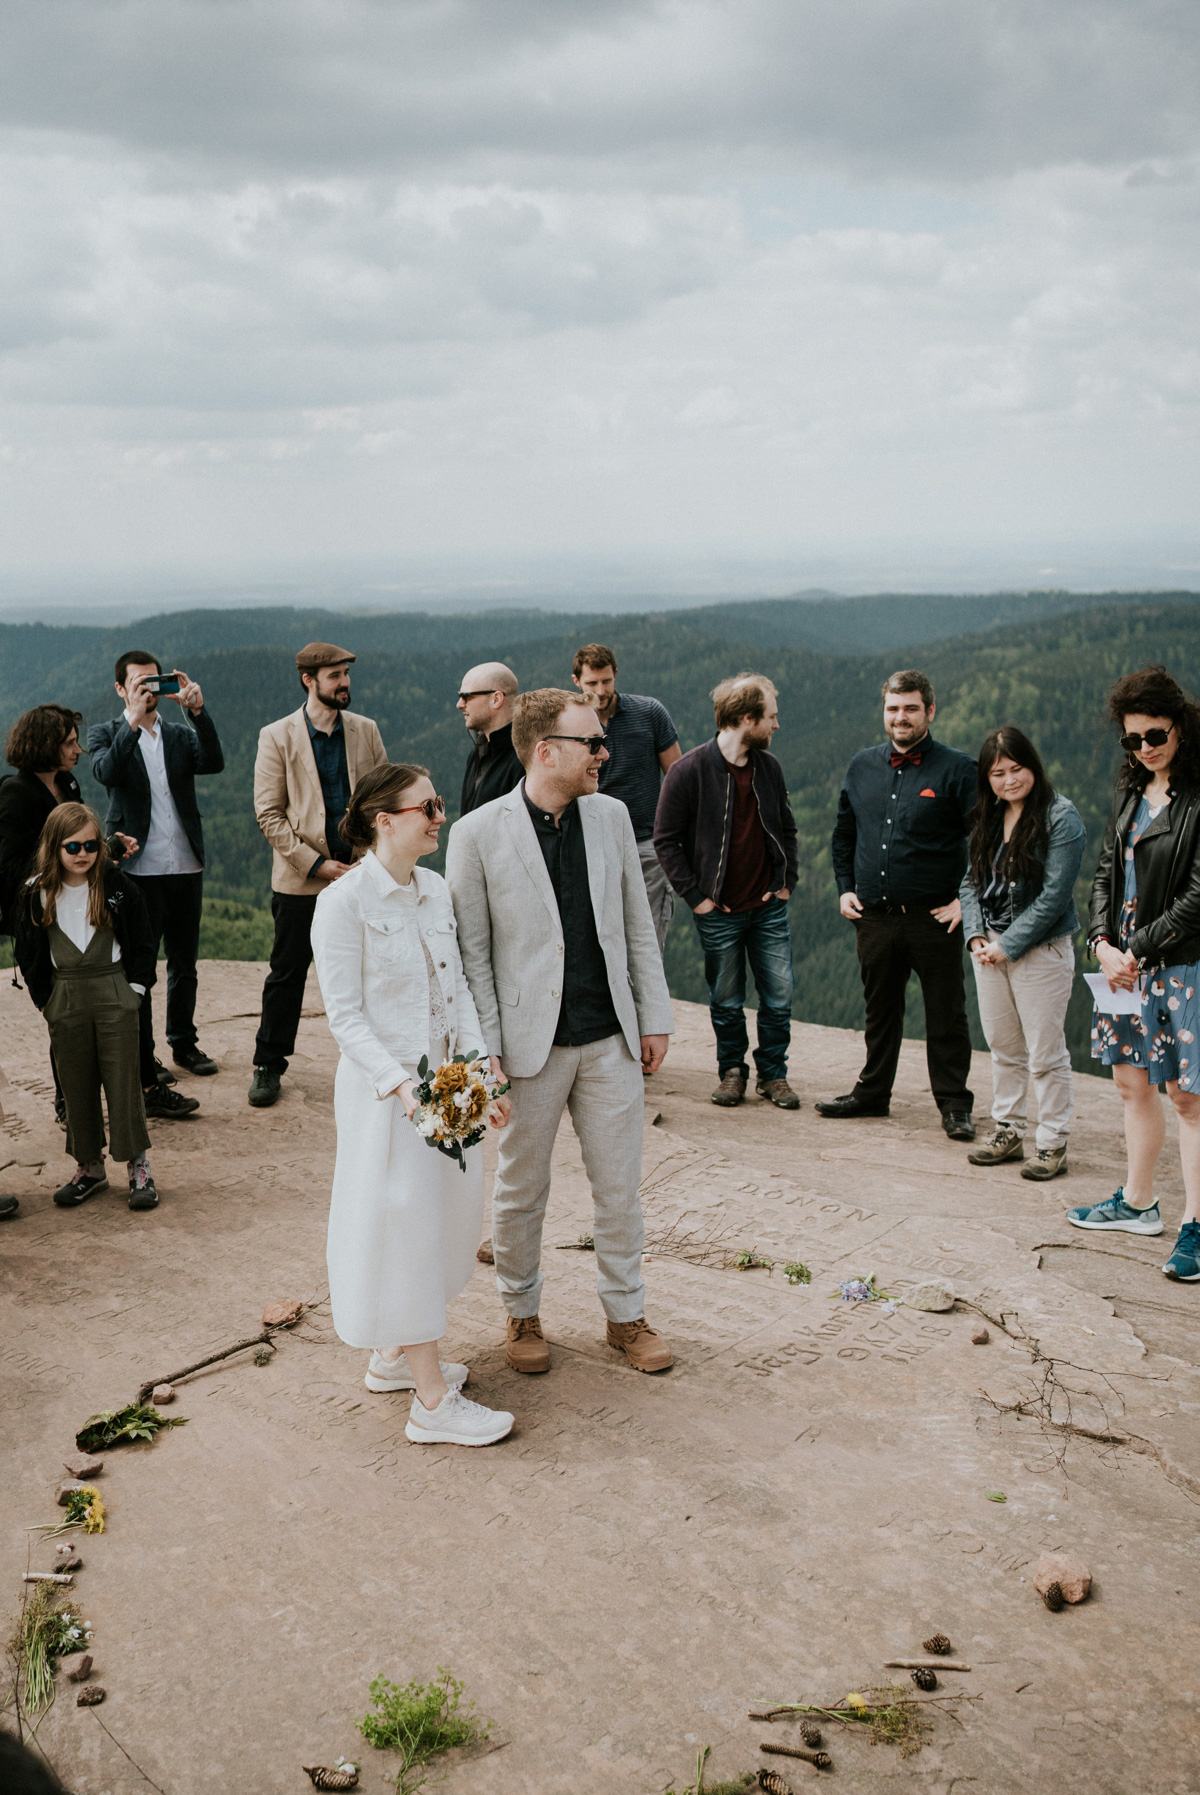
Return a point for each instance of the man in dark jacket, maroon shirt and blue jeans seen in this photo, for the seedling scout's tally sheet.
(727, 841)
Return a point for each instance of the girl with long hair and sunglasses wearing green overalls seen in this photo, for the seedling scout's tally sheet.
(85, 947)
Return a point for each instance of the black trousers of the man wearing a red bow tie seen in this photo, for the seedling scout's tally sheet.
(894, 945)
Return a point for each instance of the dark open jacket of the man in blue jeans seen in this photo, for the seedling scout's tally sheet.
(695, 821)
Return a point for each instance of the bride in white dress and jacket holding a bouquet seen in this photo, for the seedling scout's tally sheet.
(404, 1220)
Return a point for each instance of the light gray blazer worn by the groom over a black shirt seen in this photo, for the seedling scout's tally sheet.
(512, 940)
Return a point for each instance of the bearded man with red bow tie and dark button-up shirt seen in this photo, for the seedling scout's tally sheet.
(900, 855)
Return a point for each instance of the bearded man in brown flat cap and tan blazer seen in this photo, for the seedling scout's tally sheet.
(306, 771)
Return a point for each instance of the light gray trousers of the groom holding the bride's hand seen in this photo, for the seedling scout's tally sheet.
(602, 1089)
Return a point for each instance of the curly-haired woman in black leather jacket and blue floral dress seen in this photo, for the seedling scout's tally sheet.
(1145, 925)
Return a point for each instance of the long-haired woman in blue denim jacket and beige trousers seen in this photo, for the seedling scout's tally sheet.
(1027, 845)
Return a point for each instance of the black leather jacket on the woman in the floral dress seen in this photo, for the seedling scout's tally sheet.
(1169, 880)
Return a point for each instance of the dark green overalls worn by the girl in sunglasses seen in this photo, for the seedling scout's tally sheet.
(94, 1033)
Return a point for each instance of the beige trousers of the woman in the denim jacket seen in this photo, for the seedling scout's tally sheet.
(1023, 1006)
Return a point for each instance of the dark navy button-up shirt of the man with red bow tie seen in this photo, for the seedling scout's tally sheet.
(901, 832)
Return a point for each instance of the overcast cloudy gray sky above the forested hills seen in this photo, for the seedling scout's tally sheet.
(752, 292)
